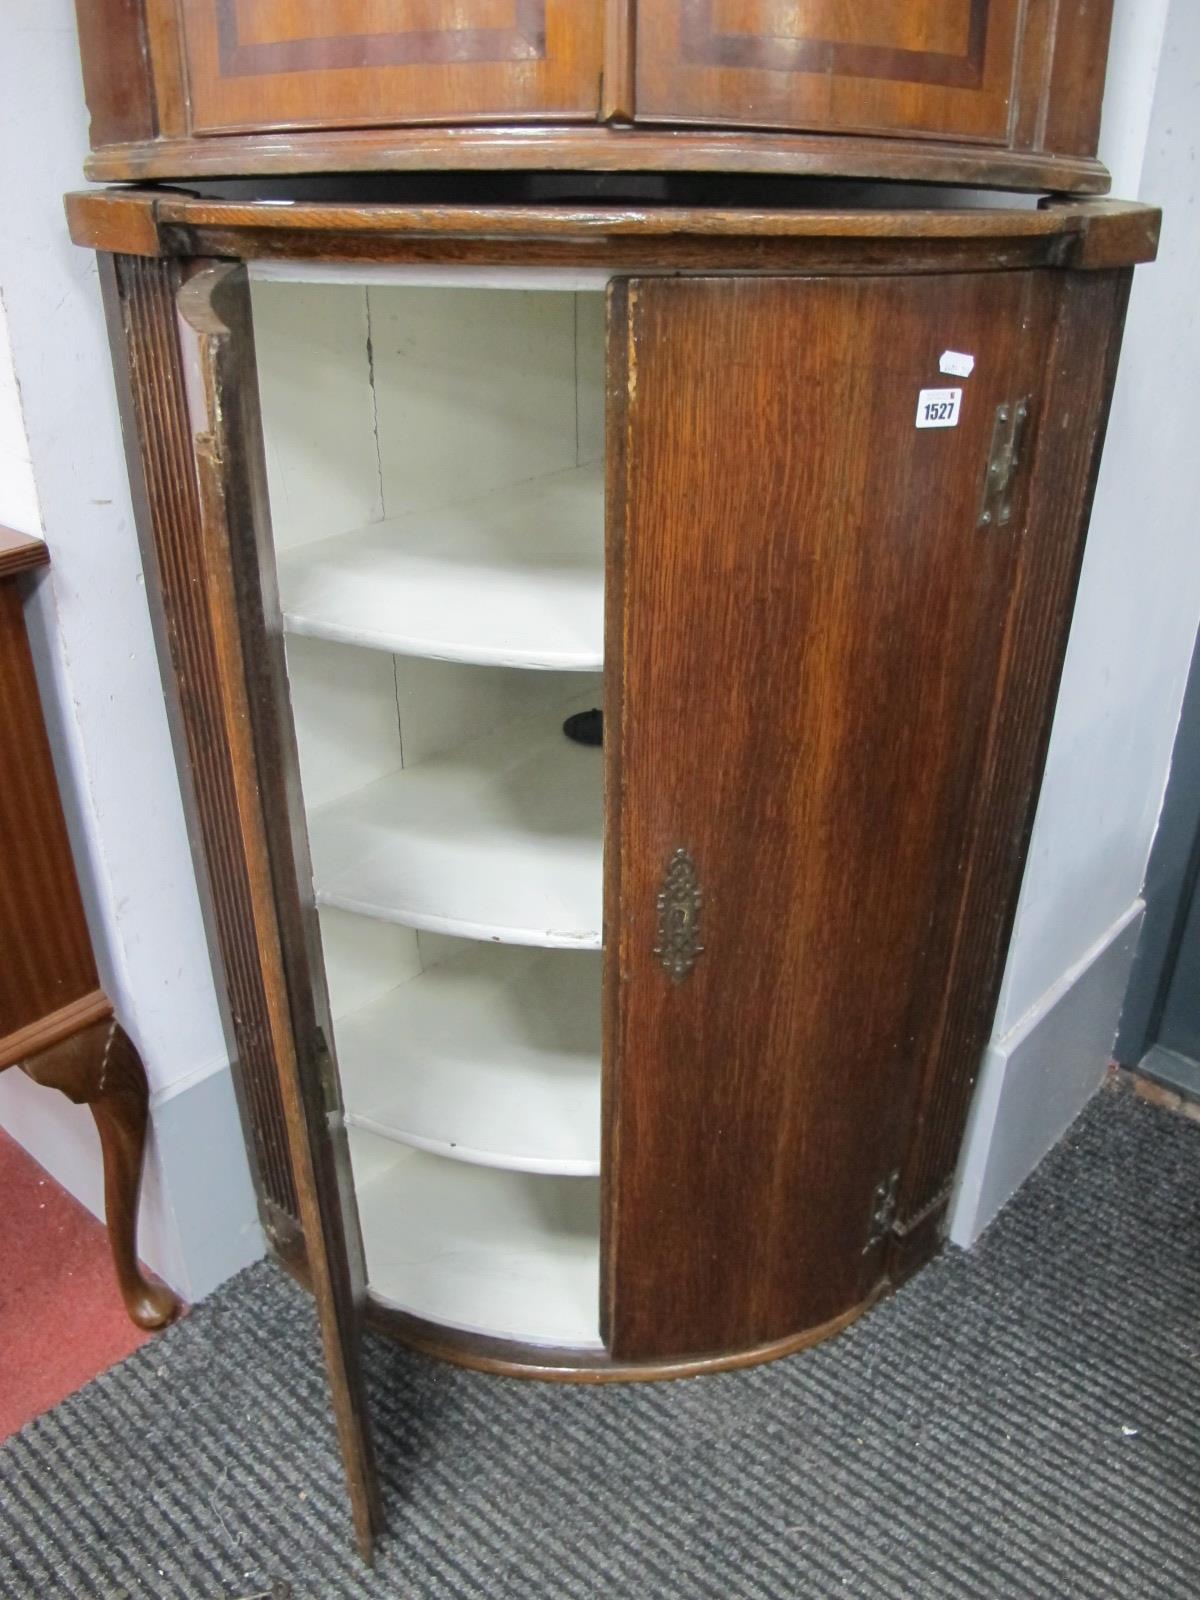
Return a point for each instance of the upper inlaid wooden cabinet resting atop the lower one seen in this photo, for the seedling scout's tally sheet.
(999, 94)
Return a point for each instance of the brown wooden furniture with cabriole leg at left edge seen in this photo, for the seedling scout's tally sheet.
(57, 1023)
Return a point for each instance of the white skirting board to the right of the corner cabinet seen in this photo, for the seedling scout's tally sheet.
(1038, 1079)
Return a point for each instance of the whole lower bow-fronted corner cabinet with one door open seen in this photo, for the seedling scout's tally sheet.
(614, 655)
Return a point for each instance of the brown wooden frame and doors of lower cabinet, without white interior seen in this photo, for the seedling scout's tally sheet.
(826, 684)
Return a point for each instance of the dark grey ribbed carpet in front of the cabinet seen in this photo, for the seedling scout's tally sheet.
(1020, 1423)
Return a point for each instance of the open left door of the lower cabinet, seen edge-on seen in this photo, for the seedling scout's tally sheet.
(257, 801)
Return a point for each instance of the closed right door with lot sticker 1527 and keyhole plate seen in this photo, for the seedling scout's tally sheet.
(804, 641)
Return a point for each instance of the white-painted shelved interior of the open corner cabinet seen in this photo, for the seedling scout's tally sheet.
(441, 561)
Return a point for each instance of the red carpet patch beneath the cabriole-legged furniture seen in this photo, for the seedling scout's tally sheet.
(62, 1319)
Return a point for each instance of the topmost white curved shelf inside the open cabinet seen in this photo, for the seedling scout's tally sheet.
(513, 580)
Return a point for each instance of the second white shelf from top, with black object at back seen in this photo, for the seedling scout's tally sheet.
(497, 839)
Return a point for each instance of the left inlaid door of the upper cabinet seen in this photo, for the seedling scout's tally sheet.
(356, 63)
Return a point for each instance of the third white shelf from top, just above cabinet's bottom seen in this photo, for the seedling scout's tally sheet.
(490, 1058)
